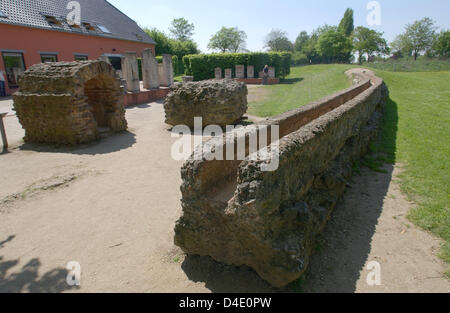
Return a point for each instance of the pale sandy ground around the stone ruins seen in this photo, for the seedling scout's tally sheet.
(112, 206)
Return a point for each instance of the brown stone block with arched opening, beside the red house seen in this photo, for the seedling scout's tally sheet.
(67, 102)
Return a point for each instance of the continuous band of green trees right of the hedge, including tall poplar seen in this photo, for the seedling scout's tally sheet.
(338, 44)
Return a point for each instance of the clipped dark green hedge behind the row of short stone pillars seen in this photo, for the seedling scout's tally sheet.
(202, 66)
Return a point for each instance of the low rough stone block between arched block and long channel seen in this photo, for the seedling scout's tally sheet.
(218, 102)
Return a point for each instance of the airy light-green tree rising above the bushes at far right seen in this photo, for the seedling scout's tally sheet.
(419, 35)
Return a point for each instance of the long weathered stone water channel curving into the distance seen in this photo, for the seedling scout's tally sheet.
(236, 213)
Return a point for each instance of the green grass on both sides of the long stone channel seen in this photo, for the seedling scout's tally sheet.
(415, 134)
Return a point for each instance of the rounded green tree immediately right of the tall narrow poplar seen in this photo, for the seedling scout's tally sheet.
(368, 41)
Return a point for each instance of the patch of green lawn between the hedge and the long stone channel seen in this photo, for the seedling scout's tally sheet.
(304, 85)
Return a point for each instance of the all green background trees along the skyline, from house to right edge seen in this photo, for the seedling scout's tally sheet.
(326, 44)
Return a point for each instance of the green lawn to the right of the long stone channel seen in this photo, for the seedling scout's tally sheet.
(417, 121)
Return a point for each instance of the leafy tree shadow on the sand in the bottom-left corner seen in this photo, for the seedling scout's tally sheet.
(28, 278)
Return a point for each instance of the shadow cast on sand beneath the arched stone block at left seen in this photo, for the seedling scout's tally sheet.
(113, 143)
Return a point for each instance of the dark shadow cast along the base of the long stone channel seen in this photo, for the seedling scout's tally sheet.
(343, 248)
